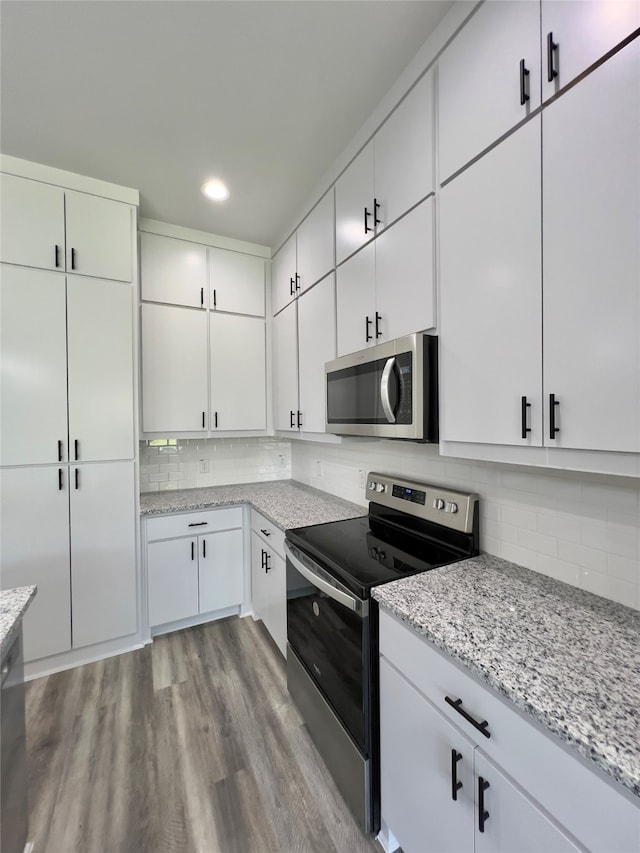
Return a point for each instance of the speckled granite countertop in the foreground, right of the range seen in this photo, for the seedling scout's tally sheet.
(567, 658)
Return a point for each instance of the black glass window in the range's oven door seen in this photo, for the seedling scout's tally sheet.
(330, 641)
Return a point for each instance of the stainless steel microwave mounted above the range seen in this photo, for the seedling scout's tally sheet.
(387, 391)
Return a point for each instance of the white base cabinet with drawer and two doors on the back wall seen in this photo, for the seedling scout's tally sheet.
(195, 567)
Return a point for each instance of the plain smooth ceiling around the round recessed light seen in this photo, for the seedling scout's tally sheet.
(160, 94)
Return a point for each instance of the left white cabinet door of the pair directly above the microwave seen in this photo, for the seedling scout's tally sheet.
(355, 301)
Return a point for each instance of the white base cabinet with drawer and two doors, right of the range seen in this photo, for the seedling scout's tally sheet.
(472, 775)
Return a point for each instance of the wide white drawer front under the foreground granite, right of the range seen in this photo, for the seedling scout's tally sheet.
(595, 810)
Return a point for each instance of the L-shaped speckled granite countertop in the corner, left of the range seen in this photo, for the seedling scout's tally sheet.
(284, 502)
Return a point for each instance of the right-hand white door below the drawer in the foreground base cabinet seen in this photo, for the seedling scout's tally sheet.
(513, 823)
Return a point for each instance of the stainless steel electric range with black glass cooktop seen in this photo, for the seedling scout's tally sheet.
(332, 620)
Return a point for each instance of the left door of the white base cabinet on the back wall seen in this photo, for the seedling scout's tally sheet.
(172, 571)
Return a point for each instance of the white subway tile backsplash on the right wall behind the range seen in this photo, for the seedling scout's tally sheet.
(580, 528)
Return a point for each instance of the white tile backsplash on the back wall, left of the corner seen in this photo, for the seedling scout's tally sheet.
(189, 463)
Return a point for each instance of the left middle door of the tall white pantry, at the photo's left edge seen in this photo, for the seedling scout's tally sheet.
(33, 364)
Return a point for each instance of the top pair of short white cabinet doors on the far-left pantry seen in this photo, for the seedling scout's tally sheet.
(98, 230)
